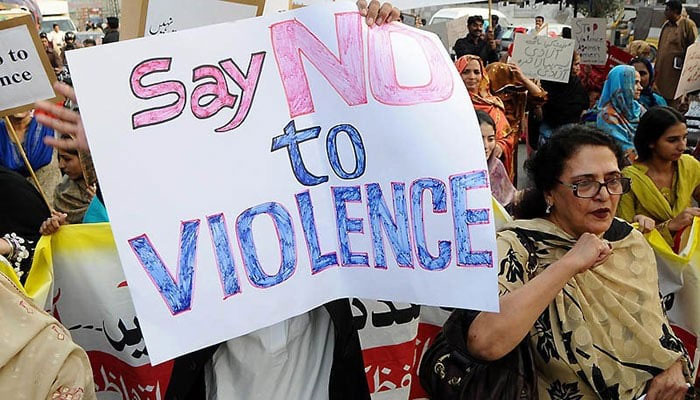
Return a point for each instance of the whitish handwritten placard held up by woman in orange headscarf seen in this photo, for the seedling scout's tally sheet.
(542, 57)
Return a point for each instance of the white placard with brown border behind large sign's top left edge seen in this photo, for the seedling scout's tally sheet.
(157, 17)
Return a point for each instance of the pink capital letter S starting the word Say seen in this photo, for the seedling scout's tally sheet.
(156, 115)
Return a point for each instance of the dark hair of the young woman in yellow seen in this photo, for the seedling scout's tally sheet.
(652, 126)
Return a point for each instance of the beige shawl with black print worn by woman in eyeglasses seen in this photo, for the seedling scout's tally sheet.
(605, 334)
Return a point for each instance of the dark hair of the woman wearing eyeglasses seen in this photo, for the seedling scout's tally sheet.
(546, 166)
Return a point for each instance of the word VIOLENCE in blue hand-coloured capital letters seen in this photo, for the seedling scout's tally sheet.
(401, 222)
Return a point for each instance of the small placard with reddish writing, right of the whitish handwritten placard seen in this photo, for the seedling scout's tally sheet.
(589, 34)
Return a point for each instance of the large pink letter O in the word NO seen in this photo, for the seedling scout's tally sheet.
(382, 70)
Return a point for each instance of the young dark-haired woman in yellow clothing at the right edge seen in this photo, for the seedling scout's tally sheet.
(664, 180)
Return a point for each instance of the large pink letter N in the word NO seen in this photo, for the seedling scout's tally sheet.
(345, 74)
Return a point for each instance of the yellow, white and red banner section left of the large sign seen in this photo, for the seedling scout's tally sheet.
(91, 299)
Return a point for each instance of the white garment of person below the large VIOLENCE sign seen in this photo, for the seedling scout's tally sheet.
(289, 360)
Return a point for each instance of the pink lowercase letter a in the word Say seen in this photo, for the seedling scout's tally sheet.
(217, 89)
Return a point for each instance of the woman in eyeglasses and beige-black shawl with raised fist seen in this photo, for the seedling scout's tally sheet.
(581, 283)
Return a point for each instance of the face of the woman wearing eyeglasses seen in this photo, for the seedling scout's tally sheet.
(575, 215)
